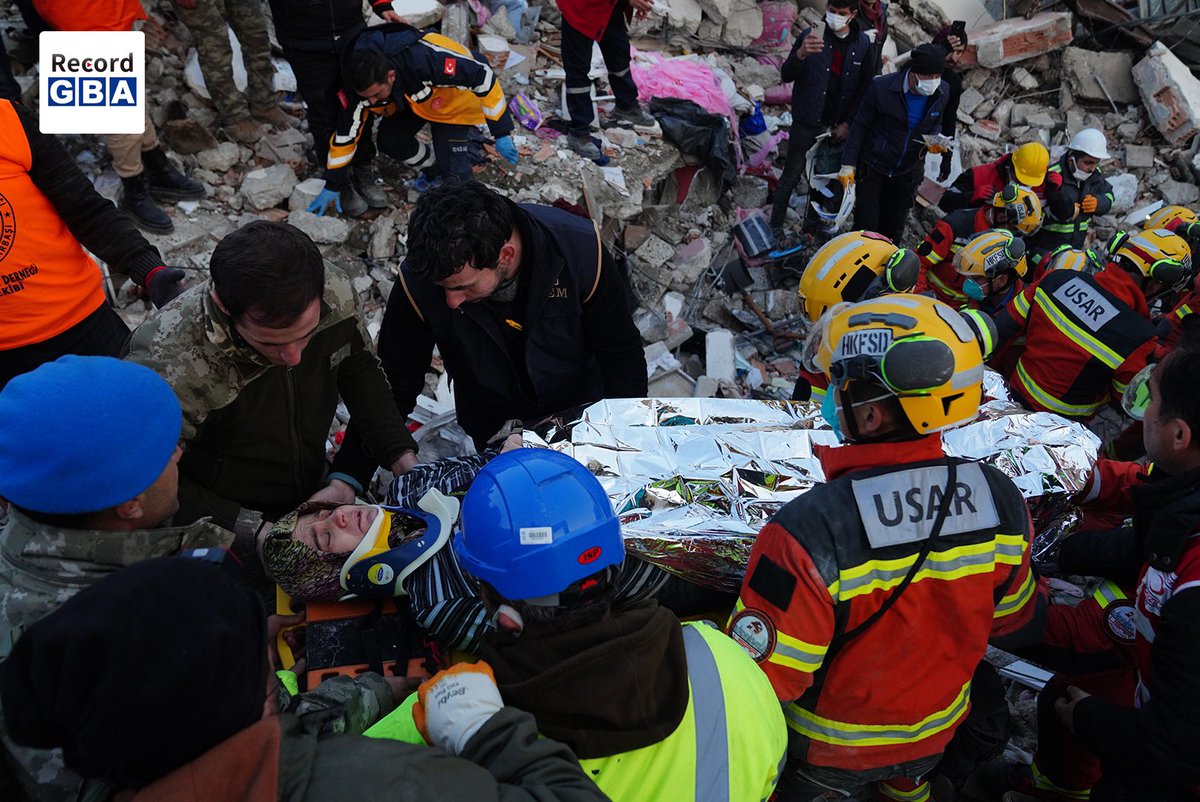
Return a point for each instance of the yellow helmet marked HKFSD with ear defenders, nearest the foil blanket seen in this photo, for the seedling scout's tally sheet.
(920, 350)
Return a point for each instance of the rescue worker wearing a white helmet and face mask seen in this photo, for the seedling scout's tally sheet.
(1083, 195)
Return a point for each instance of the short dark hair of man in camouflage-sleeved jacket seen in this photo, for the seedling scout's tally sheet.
(267, 272)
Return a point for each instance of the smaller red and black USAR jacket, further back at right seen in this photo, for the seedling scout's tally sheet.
(1087, 338)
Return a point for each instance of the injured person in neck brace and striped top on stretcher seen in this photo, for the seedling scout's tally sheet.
(319, 553)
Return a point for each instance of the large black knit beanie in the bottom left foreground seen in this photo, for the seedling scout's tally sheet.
(142, 673)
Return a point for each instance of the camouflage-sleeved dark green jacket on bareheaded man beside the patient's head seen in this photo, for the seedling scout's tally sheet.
(257, 433)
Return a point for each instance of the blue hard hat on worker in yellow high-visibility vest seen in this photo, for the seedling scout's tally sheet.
(535, 523)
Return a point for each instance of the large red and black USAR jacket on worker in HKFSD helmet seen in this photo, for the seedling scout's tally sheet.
(895, 693)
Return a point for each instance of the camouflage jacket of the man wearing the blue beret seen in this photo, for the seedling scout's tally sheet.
(41, 567)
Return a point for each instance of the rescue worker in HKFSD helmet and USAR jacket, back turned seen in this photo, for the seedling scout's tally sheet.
(837, 598)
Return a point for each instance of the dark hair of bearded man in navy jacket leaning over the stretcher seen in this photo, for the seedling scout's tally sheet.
(455, 225)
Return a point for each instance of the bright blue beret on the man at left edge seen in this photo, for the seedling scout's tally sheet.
(85, 434)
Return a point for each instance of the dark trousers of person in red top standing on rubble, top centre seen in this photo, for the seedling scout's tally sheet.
(578, 62)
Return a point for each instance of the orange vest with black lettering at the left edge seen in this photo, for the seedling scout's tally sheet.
(47, 282)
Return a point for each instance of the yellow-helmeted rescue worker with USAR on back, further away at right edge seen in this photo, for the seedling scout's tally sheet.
(1087, 337)
